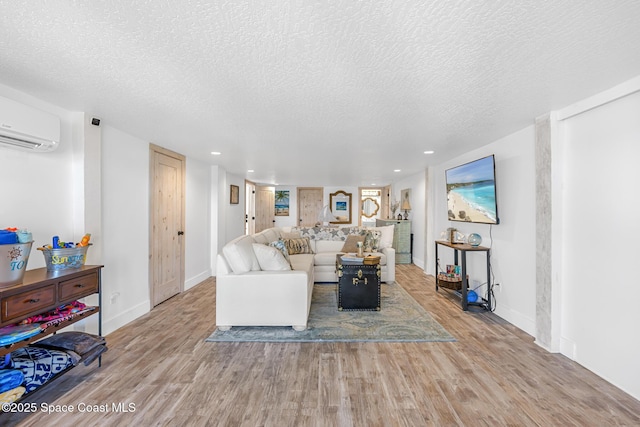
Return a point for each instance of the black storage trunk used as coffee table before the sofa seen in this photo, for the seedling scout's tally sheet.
(358, 287)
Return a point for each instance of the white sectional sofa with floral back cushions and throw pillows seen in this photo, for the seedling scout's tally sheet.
(255, 287)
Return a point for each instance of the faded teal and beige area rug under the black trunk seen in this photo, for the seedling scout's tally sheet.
(401, 319)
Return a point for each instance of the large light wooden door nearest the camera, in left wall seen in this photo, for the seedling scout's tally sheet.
(166, 266)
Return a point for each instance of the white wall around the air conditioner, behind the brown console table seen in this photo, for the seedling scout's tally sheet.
(48, 193)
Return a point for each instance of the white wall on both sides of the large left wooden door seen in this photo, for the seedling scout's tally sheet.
(125, 188)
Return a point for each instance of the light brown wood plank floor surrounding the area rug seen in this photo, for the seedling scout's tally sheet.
(494, 375)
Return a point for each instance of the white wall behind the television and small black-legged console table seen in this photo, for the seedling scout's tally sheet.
(513, 242)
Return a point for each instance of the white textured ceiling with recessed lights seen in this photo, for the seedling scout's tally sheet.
(333, 92)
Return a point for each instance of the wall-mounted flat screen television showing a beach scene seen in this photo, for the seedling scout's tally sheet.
(471, 192)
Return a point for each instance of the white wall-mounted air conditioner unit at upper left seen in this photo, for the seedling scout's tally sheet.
(27, 128)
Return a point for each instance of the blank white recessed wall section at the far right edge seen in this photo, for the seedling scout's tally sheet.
(599, 304)
